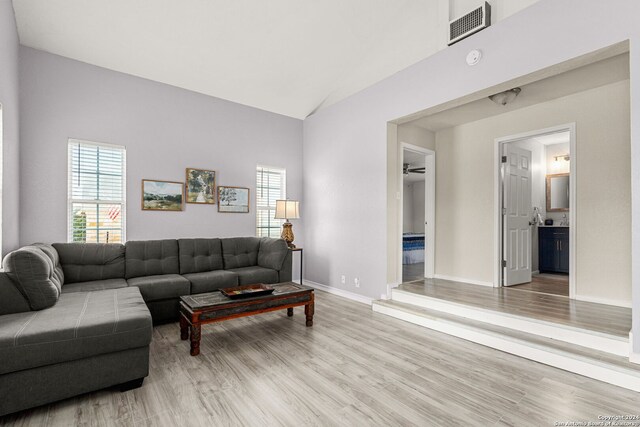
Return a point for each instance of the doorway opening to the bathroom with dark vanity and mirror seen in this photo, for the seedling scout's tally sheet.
(535, 211)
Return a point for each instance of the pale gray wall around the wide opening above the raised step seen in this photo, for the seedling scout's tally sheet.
(347, 142)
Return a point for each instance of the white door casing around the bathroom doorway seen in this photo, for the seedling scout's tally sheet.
(497, 197)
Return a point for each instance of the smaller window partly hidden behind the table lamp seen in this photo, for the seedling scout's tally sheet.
(270, 186)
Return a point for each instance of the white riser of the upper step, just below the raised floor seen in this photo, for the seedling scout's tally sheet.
(590, 339)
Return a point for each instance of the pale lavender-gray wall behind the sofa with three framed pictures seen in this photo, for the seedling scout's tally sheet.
(165, 129)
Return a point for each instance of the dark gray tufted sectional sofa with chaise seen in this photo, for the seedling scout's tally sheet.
(78, 317)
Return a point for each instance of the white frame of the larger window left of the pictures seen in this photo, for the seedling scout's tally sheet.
(71, 200)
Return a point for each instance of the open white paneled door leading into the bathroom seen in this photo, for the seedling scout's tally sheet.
(517, 215)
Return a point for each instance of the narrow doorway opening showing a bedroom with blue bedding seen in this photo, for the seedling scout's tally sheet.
(417, 208)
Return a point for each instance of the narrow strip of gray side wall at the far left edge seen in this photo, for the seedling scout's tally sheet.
(10, 107)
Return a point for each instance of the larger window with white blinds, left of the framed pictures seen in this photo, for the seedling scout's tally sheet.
(97, 192)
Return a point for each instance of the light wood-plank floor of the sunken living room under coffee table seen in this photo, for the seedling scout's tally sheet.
(353, 367)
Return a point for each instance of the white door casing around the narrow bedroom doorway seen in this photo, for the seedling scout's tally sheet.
(429, 210)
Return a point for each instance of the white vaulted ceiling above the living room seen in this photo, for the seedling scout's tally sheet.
(286, 56)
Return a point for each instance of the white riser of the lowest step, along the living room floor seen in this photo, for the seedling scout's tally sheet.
(592, 368)
